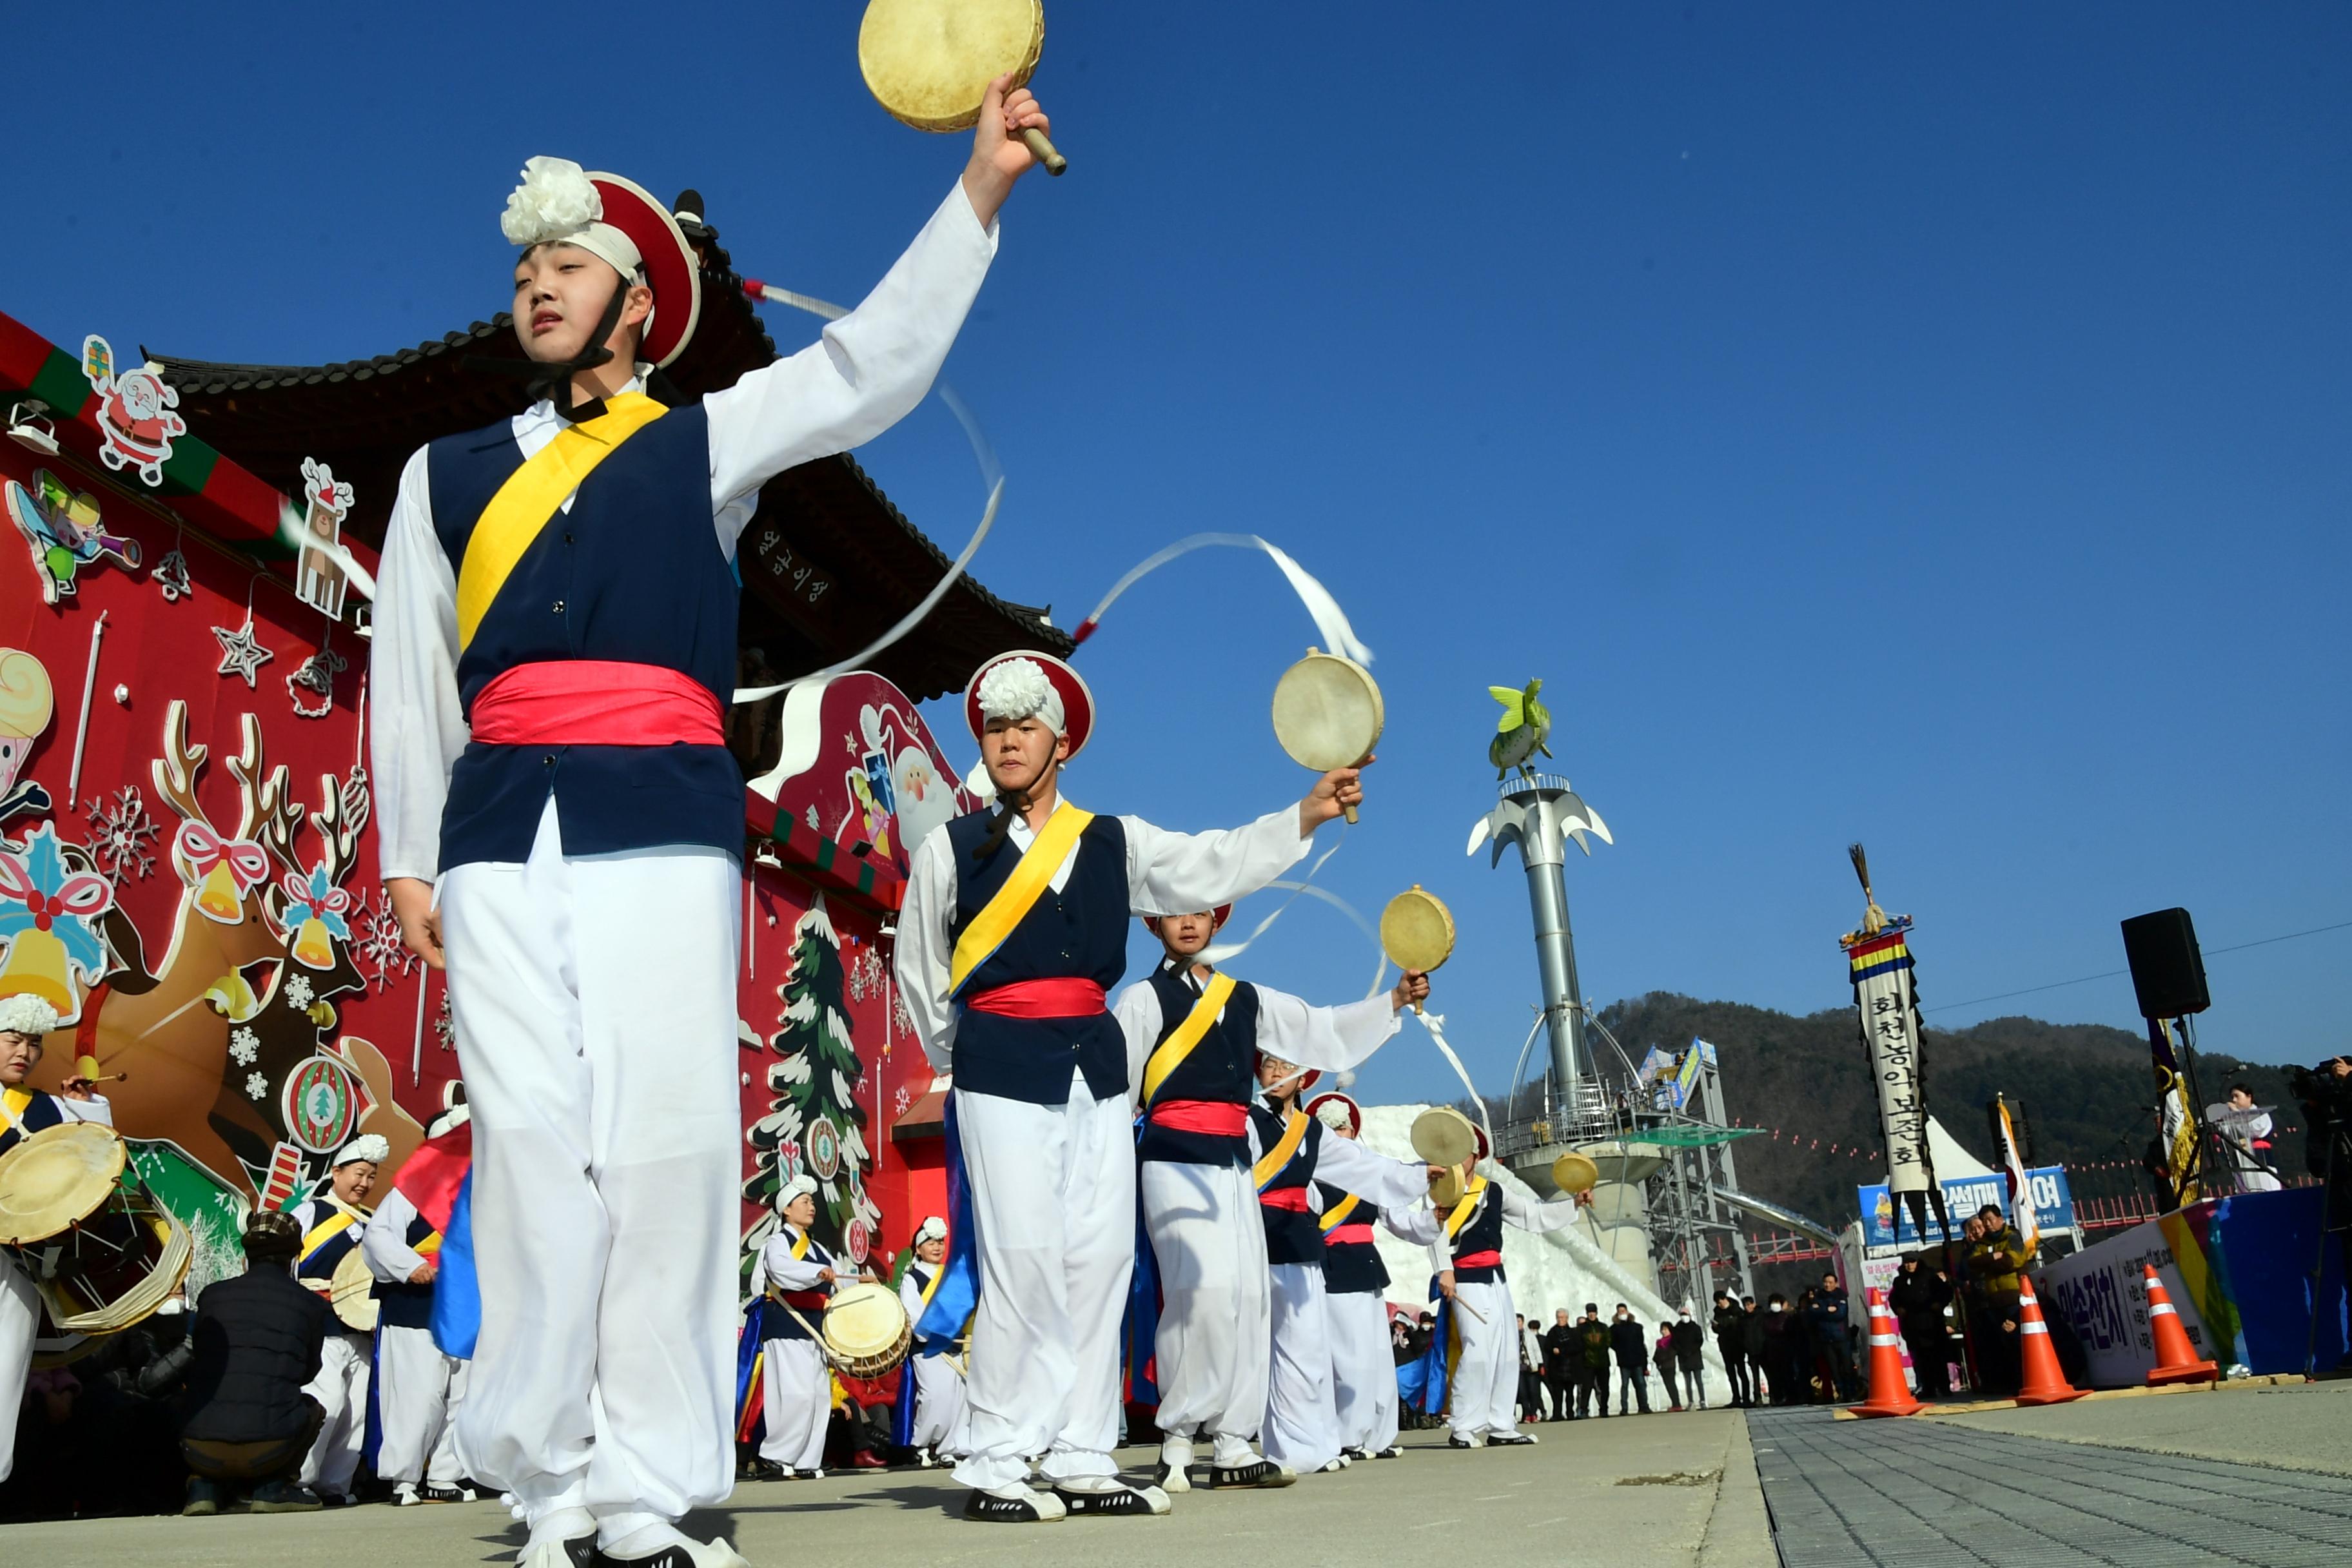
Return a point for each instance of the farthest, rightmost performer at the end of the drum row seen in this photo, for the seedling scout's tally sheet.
(1466, 1254)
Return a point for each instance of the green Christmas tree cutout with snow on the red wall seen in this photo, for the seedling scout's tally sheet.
(815, 1120)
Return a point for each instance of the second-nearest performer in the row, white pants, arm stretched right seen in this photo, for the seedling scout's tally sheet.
(1015, 930)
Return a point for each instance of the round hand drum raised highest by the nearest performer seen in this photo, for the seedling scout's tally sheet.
(930, 62)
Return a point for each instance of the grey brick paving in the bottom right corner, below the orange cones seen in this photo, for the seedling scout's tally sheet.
(2259, 1477)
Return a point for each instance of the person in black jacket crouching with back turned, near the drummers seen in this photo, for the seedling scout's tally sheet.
(258, 1343)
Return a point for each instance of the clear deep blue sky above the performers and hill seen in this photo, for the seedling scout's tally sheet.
(1904, 427)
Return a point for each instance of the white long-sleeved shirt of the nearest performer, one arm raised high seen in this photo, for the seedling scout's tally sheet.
(862, 377)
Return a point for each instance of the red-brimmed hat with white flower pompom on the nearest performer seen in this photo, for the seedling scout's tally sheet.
(617, 220)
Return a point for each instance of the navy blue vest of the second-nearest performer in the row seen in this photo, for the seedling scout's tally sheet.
(1076, 932)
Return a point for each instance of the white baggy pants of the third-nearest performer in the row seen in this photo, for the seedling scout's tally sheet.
(1215, 1315)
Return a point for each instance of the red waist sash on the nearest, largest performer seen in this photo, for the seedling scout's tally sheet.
(596, 702)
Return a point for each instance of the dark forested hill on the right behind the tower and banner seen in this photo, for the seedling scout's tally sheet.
(2085, 1087)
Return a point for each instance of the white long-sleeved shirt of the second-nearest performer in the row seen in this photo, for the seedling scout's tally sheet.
(1168, 873)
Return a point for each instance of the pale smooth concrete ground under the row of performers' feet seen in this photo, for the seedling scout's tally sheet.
(1662, 1492)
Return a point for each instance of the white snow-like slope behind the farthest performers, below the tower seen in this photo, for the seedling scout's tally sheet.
(1563, 1268)
